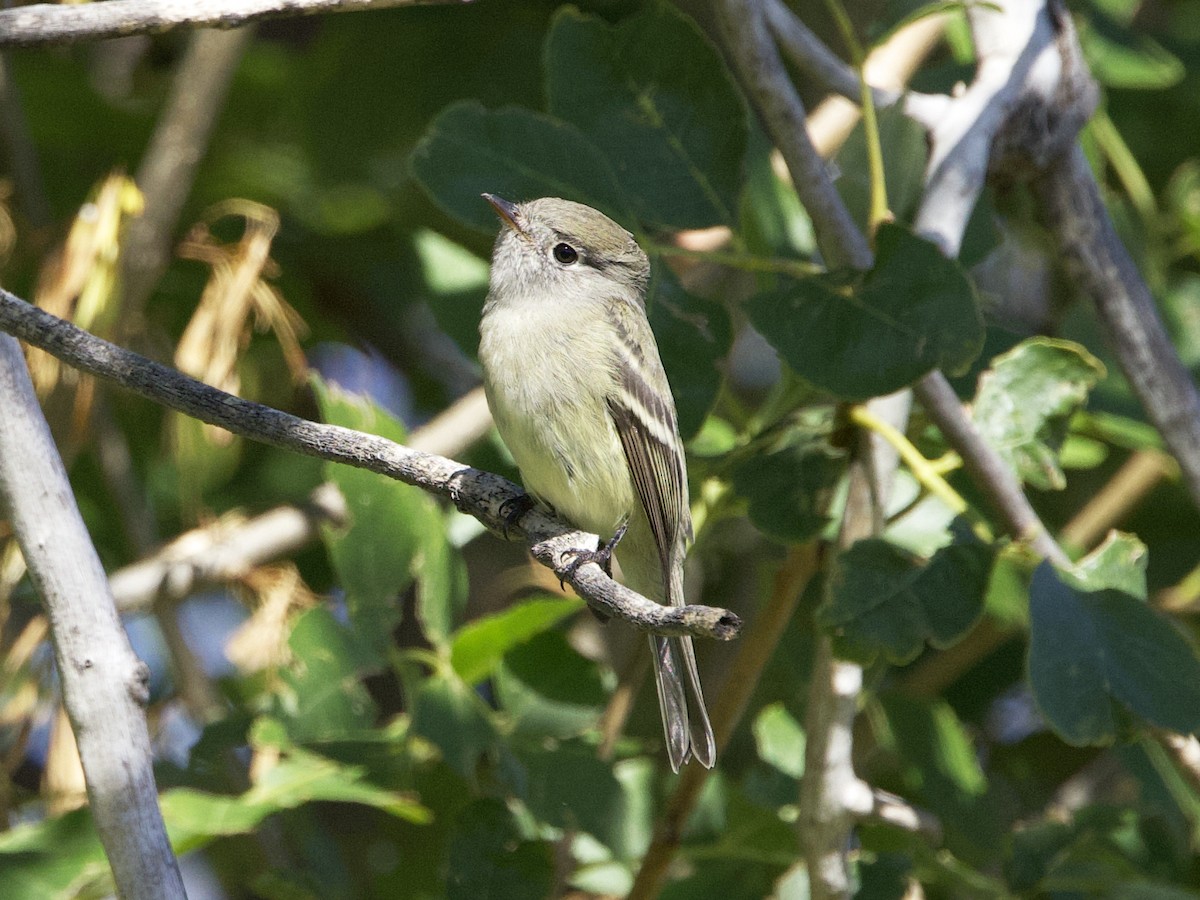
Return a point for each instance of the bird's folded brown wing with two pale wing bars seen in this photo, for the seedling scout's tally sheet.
(645, 417)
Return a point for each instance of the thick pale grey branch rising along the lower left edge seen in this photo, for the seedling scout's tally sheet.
(105, 686)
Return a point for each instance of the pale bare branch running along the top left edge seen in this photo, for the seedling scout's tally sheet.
(52, 23)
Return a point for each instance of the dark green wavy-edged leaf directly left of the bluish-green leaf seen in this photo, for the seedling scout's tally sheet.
(883, 601)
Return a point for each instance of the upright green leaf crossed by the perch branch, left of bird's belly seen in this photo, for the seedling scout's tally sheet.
(374, 556)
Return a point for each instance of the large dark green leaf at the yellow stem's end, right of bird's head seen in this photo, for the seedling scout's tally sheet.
(862, 335)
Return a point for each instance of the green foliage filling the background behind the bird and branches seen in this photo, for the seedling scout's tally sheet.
(429, 724)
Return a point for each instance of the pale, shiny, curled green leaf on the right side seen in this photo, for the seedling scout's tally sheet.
(1025, 403)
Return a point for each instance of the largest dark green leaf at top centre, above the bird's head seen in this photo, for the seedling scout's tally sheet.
(653, 94)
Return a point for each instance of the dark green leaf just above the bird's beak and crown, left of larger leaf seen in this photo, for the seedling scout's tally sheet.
(517, 154)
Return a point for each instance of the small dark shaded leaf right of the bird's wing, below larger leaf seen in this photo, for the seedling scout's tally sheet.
(789, 489)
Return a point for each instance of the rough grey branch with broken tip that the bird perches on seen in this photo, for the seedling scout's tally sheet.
(476, 493)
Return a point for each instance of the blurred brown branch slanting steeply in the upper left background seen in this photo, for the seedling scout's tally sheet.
(170, 164)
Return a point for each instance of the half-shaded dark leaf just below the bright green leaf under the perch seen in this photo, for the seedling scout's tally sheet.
(549, 689)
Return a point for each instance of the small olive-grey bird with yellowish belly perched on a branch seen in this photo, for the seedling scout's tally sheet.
(580, 397)
